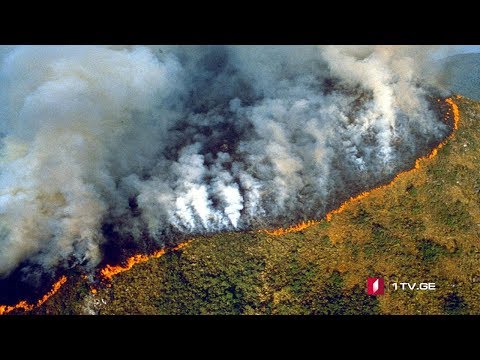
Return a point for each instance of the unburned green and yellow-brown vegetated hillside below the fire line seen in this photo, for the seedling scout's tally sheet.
(424, 228)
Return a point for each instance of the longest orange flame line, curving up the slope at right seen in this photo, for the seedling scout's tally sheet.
(418, 163)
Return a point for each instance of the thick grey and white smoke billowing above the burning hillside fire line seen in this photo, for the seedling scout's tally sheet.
(153, 142)
